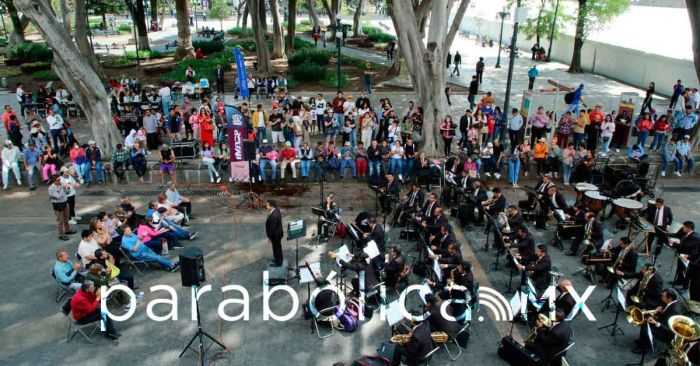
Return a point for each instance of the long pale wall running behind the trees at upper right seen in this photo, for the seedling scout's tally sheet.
(627, 65)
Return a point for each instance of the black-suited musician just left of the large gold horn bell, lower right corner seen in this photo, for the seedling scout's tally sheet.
(658, 323)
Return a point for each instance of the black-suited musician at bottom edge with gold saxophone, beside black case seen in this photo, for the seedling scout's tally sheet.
(551, 340)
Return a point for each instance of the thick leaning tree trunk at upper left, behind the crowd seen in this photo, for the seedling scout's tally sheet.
(75, 72)
